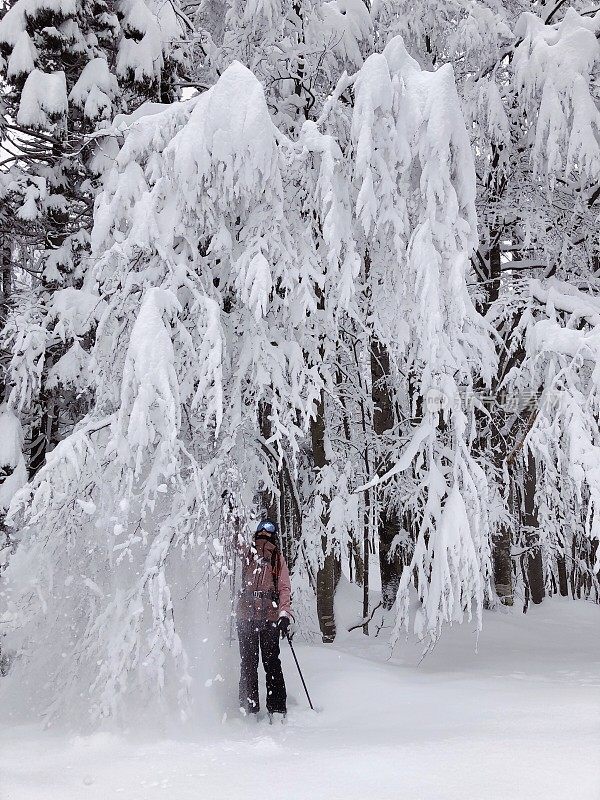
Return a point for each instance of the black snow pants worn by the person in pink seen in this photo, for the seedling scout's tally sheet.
(263, 635)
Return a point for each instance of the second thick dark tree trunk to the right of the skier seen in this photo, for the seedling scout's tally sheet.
(388, 523)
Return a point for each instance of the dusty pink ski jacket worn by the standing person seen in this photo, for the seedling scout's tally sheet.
(264, 572)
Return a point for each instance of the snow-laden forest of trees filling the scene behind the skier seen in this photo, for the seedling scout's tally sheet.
(337, 262)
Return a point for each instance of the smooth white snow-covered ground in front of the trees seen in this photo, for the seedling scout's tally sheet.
(520, 719)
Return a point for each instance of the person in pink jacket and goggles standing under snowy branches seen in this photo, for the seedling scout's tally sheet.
(263, 615)
